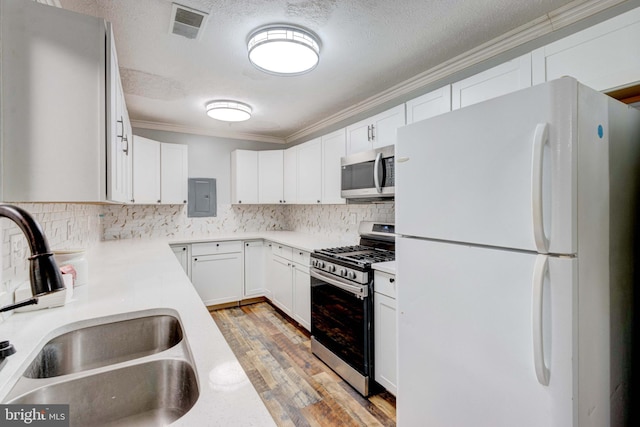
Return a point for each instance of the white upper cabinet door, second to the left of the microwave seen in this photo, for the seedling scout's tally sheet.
(310, 172)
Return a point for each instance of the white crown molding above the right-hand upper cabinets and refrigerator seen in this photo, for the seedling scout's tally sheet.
(569, 14)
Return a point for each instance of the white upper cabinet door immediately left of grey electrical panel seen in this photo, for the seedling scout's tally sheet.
(174, 174)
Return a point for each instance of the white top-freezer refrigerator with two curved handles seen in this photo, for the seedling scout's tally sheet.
(515, 261)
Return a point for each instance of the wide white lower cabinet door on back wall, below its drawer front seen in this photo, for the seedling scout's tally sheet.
(218, 278)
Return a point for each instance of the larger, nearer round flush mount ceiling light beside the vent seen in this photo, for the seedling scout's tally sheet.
(283, 50)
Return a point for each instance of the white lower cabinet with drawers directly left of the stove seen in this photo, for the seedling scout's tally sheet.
(290, 283)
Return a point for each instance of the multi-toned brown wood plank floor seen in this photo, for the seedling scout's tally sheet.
(297, 388)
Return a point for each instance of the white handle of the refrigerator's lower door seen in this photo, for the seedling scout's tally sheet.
(539, 272)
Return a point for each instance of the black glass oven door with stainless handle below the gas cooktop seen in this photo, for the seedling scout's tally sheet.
(341, 320)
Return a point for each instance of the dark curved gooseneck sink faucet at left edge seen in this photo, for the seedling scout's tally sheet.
(43, 271)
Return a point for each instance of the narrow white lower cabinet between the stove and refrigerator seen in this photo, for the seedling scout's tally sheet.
(385, 338)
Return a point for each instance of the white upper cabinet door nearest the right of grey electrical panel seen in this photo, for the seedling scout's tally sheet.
(244, 176)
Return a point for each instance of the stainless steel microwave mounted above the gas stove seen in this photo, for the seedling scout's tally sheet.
(369, 175)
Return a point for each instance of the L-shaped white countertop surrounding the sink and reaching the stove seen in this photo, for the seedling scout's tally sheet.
(132, 275)
